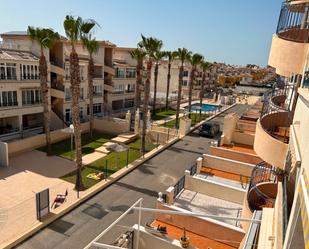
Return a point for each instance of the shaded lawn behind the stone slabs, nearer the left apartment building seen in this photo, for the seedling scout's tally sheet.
(63, 148)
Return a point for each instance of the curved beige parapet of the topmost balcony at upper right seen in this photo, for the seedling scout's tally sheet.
(287, 57)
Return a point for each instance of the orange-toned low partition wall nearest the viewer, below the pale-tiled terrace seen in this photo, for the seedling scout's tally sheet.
(210, 228)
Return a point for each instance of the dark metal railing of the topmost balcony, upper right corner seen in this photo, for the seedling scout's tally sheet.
(292, 24)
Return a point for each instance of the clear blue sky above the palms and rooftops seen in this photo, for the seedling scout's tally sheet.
(231, 31)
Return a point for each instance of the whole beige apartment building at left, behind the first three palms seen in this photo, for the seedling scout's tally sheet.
(21, 100)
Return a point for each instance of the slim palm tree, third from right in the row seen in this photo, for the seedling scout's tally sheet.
(183, 55)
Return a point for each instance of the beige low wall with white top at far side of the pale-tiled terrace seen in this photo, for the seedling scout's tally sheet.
(214, 189)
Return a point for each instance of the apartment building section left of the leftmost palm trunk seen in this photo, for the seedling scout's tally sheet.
(20, 96)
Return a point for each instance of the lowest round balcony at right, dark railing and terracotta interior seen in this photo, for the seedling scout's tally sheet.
(262, 190)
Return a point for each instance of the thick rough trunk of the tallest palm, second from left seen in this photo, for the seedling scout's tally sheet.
(75, 88)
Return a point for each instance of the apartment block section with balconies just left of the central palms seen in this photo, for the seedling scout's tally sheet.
(121, 98)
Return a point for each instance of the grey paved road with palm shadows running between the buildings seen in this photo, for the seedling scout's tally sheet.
(81, 225)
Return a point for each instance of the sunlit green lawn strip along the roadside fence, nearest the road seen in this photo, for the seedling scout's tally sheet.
(115, 161)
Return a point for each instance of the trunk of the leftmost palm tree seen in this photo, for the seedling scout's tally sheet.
(45, 100)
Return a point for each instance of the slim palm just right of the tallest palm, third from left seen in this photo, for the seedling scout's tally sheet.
(92, 46)
